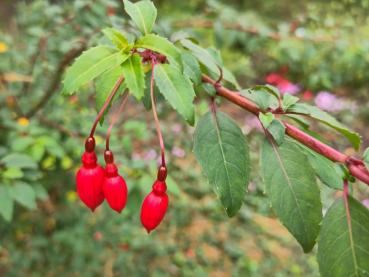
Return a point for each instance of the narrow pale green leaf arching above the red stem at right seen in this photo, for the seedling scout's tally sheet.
(329, 120)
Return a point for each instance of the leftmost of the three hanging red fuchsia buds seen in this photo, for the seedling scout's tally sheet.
(90, 177)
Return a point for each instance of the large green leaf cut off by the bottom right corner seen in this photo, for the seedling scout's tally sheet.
(343, 246)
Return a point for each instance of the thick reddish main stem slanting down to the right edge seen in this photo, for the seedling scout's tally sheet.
(356, 170)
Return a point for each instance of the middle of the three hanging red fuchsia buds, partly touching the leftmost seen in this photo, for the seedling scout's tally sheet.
(114, 186)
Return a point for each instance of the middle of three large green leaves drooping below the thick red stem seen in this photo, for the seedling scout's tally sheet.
(291, 186)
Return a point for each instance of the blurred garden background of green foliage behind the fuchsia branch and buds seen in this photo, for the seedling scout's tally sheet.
(317, 50)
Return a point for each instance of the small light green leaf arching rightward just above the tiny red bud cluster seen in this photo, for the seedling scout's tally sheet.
(161, 45)
